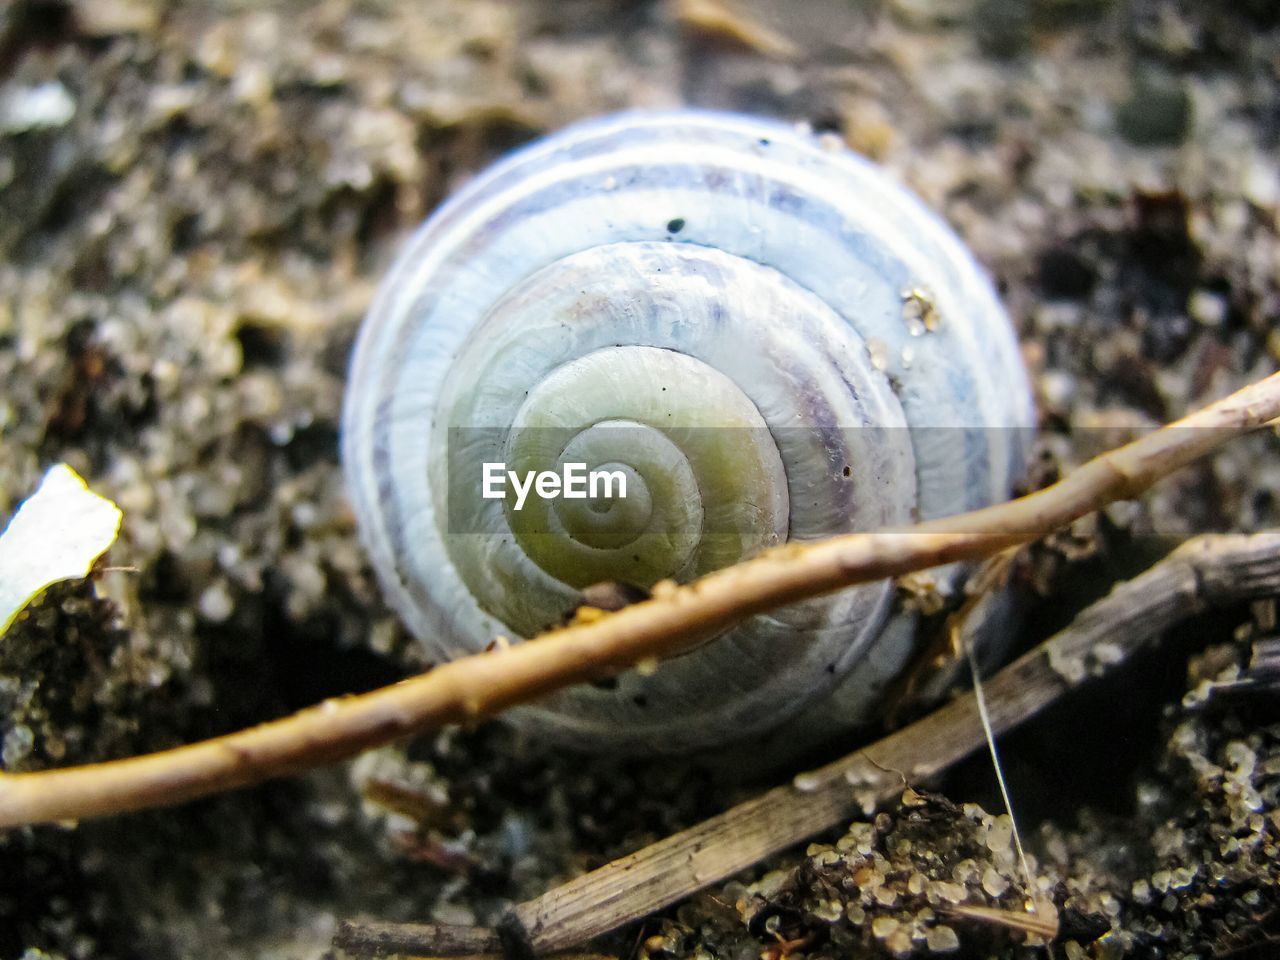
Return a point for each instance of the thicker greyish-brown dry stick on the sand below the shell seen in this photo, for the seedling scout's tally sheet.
(1209, 572)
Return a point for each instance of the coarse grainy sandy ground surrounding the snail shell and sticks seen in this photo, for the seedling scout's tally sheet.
(196, 204)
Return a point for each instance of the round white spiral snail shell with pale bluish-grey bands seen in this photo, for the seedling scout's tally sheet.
(676, 272)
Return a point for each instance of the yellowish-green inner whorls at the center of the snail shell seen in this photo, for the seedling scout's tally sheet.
(662, 431)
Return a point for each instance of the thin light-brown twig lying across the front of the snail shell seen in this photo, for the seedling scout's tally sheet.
(674, 621)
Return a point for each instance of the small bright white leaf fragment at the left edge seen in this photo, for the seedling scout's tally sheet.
(57, 534)
